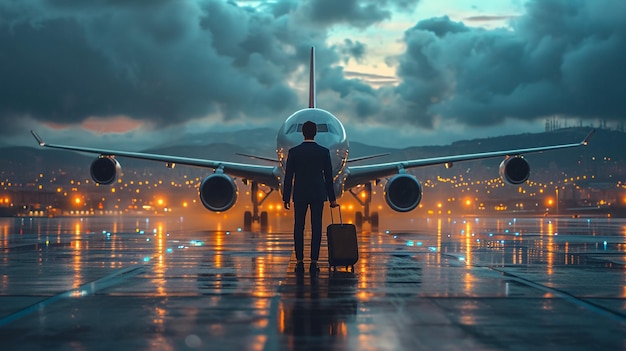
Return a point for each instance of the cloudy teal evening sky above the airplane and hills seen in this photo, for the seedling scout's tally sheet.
(397, 73)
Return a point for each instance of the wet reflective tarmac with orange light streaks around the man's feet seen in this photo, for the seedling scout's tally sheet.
(168, 283)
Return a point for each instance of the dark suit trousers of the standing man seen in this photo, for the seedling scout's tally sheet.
(300, 210)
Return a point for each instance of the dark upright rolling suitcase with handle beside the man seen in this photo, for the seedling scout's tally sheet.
(343, 249)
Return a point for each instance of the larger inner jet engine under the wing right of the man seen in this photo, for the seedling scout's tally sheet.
(403, 192)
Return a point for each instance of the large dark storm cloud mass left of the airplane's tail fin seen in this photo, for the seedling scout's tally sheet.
(168, 62)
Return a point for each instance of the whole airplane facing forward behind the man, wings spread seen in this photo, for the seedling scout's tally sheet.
(403, 191)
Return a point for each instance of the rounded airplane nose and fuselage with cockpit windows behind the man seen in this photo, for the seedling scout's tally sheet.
(330, 133)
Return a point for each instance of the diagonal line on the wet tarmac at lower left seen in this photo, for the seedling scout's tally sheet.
(83, 290)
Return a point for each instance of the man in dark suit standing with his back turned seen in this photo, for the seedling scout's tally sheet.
(310, 170)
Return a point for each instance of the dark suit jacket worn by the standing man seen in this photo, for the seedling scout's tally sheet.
(310, 170)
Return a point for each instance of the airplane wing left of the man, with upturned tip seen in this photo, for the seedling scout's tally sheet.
(267, 175)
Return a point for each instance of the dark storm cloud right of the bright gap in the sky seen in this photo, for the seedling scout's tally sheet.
(563, 57)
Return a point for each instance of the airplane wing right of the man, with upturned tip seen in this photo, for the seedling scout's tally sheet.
(362, 174)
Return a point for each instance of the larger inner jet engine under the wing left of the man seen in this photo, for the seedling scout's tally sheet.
(218, 192)
